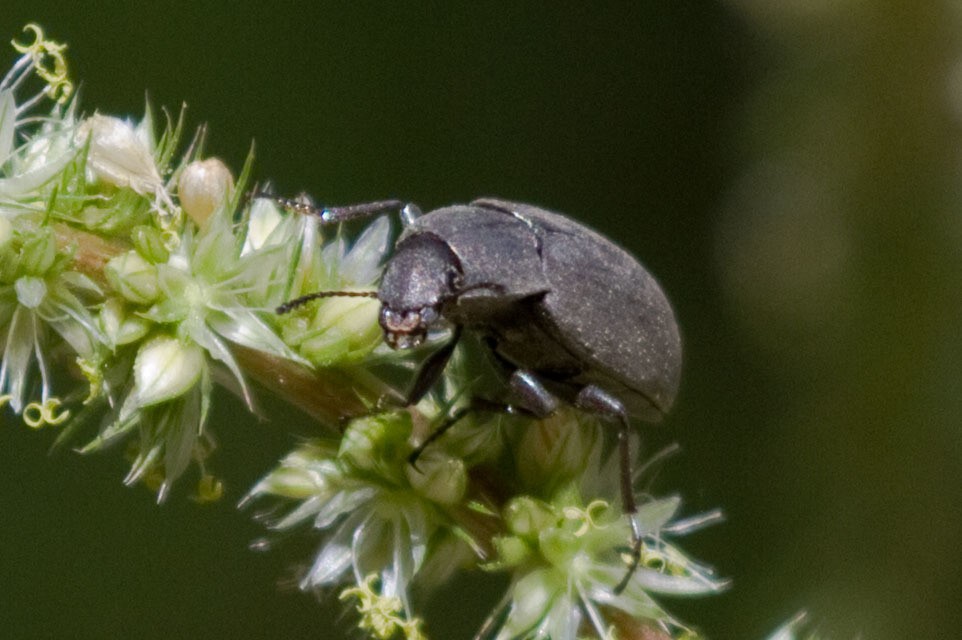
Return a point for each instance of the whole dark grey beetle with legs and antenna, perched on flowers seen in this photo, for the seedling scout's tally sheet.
(571, 315)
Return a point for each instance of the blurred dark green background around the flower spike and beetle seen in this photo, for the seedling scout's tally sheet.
(789, 171)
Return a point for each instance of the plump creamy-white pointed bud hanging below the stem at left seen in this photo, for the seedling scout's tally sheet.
(166, 368)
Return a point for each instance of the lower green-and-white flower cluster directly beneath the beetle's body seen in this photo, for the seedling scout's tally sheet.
(384, 520)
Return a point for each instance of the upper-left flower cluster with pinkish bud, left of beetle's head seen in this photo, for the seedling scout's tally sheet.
(131, 267)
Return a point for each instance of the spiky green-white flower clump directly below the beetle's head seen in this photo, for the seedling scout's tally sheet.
(376, 521)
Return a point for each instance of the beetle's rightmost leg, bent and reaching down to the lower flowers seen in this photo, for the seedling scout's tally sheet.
(596, 400)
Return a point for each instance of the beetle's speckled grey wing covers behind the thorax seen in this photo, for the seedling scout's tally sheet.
(606, 309)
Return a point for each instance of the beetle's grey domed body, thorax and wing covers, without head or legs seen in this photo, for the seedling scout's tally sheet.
(560, 300)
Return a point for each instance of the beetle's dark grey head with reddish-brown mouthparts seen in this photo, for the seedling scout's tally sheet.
(417, 281)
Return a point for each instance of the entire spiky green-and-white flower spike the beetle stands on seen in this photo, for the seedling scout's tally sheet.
(136, 280)
